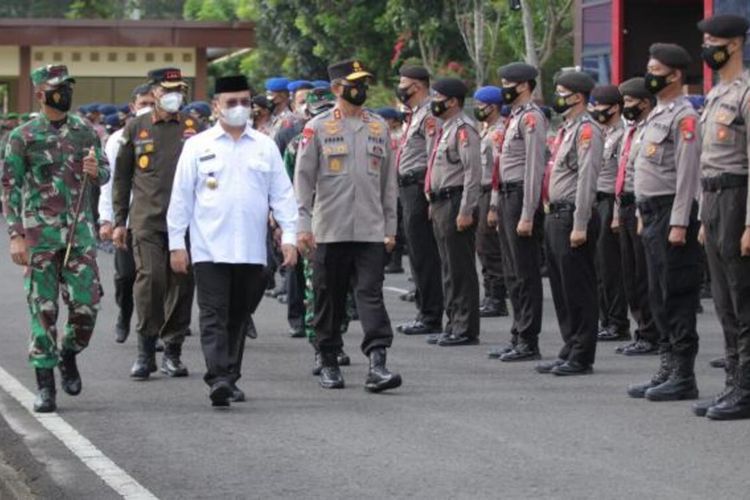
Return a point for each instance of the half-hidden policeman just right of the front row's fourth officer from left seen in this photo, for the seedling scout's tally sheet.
(606, 110)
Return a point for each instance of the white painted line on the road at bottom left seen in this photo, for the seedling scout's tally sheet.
(90, 455)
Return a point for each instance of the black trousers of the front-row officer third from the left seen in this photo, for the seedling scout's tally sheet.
(523, 264)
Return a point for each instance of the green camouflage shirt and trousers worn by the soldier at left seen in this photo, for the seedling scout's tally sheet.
(41, 180)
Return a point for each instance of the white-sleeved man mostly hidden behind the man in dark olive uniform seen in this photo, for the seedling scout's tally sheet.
(141, 102)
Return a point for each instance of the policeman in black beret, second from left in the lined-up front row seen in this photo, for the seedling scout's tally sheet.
(452, 183)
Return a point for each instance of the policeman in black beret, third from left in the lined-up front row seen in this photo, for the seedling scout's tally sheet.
(516, 204)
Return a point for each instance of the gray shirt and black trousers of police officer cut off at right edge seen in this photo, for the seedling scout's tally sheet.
(725, 212)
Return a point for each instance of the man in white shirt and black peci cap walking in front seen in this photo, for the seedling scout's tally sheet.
(228, 179)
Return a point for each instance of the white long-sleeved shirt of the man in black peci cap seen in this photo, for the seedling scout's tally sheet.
(223, 192)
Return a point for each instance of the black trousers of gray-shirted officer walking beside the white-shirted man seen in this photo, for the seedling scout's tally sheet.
(336, 267)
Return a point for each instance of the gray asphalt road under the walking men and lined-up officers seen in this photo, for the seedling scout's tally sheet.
(461, 426)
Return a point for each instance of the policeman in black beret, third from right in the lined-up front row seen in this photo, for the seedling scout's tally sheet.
(571, 225)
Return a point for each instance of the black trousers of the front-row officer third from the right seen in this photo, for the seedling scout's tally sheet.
(572, 277)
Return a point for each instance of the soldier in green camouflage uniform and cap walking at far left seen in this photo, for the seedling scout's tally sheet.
(46, 161)
